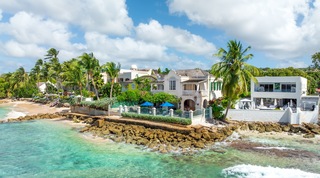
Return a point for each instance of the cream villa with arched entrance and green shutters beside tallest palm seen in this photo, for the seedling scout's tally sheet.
(195, 87)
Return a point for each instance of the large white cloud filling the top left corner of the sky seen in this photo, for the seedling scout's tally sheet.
(105, 16)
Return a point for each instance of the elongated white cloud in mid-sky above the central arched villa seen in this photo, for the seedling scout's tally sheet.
(181, 40)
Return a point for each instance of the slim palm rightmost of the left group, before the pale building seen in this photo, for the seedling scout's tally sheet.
(90, 63)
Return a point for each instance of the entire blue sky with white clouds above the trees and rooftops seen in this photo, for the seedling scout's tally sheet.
(174, 34)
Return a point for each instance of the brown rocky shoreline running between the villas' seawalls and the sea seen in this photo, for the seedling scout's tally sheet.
(165, 139)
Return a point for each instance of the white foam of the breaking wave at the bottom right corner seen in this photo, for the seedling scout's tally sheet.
(249, 171)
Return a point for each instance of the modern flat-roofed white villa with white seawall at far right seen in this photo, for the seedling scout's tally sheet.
(278, 99)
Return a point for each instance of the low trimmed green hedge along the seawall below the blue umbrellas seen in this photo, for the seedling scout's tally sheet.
(175, 120)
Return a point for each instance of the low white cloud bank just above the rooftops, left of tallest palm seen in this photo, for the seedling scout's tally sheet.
(129, 51)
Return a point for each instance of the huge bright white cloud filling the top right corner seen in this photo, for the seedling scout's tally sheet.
(283, 29)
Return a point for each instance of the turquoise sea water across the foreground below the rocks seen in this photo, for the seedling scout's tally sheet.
(51, 149)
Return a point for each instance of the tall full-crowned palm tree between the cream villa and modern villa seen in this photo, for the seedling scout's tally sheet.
(234, 71)
